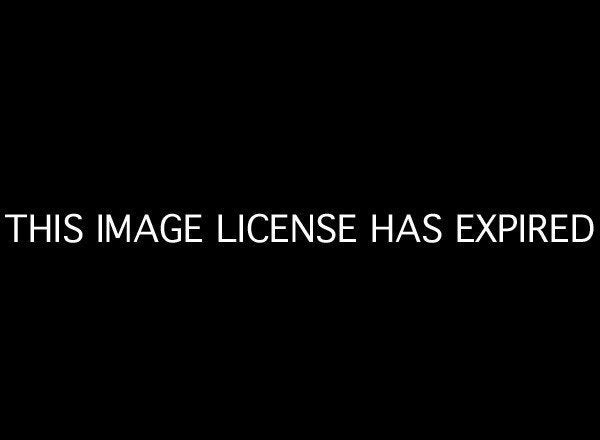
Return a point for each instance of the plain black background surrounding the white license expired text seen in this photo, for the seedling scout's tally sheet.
(368, 113)
